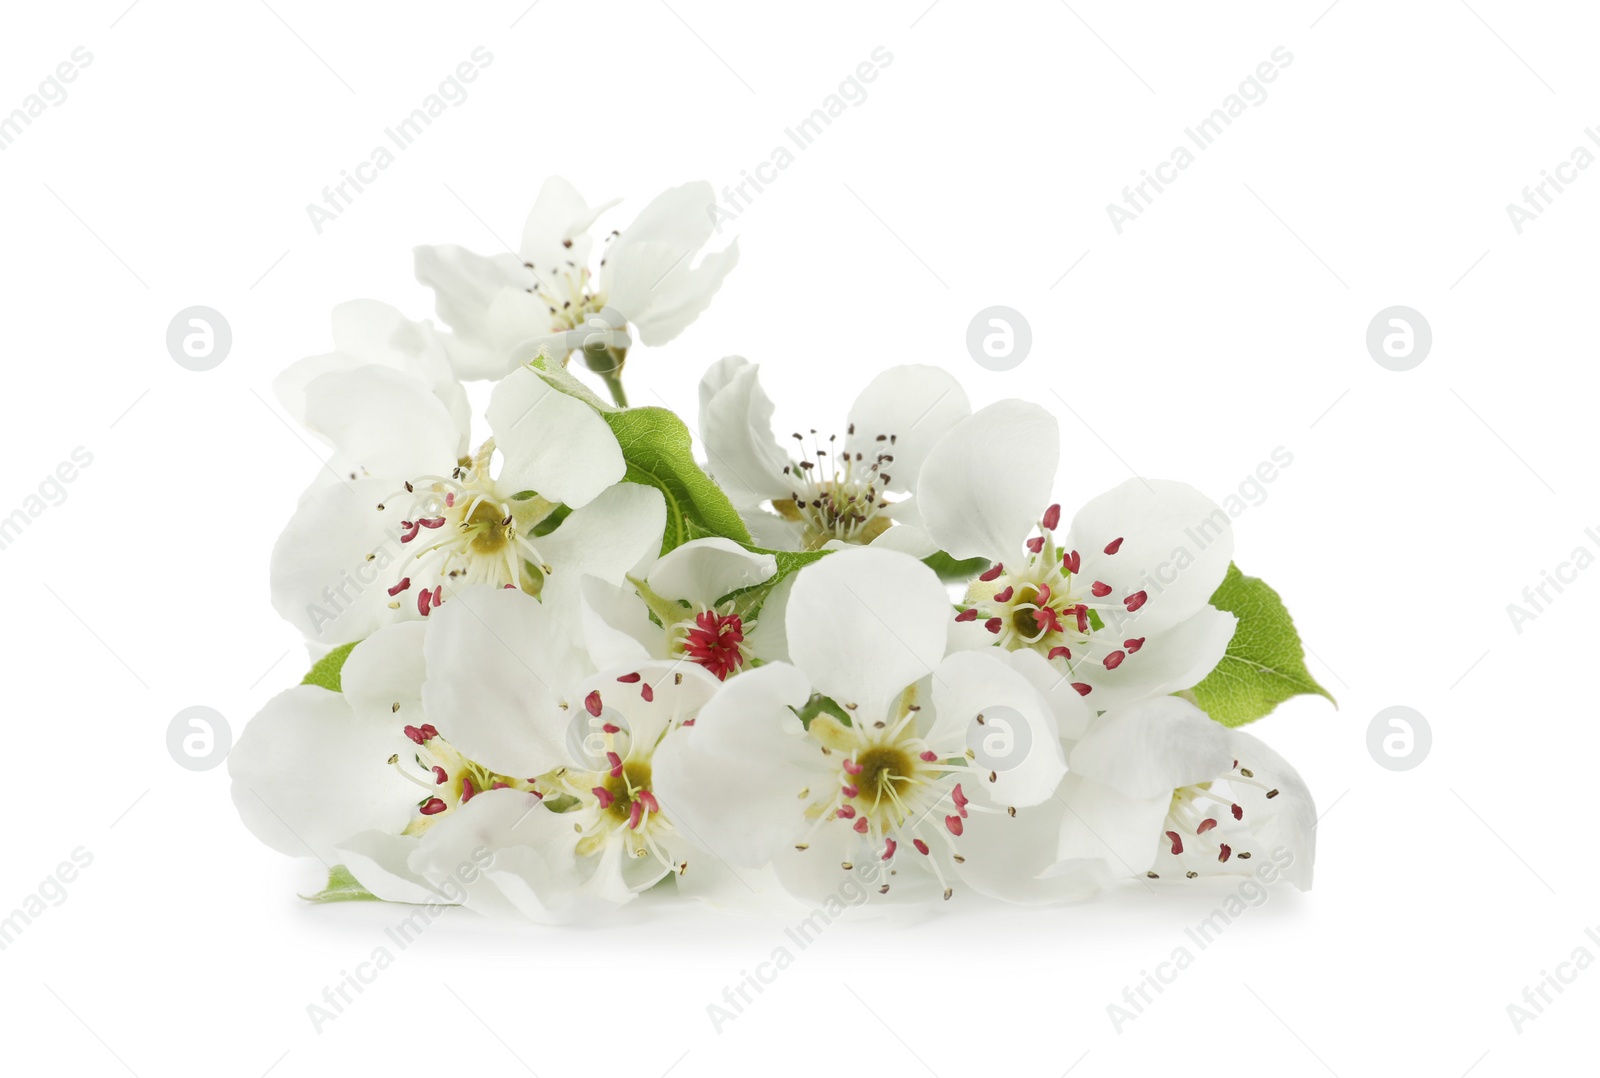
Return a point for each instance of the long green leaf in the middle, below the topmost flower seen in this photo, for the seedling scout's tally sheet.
(658, 452)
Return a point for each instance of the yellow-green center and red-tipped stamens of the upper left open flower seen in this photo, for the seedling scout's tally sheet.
(465, 530)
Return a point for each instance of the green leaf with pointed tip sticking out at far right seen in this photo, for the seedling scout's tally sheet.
(1265, 663)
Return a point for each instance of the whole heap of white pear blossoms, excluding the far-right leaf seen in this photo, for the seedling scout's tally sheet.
(562, 660)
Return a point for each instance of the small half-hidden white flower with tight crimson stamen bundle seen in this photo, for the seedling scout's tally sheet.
(682, 589)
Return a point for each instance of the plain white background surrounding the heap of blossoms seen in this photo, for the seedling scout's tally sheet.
(1228, 321)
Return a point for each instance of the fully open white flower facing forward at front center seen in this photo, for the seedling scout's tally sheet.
(898, 783)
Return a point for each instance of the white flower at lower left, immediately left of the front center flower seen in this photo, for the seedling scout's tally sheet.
(508, 689)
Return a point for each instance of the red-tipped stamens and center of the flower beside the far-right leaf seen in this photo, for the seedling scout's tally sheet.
(1044, 605)
